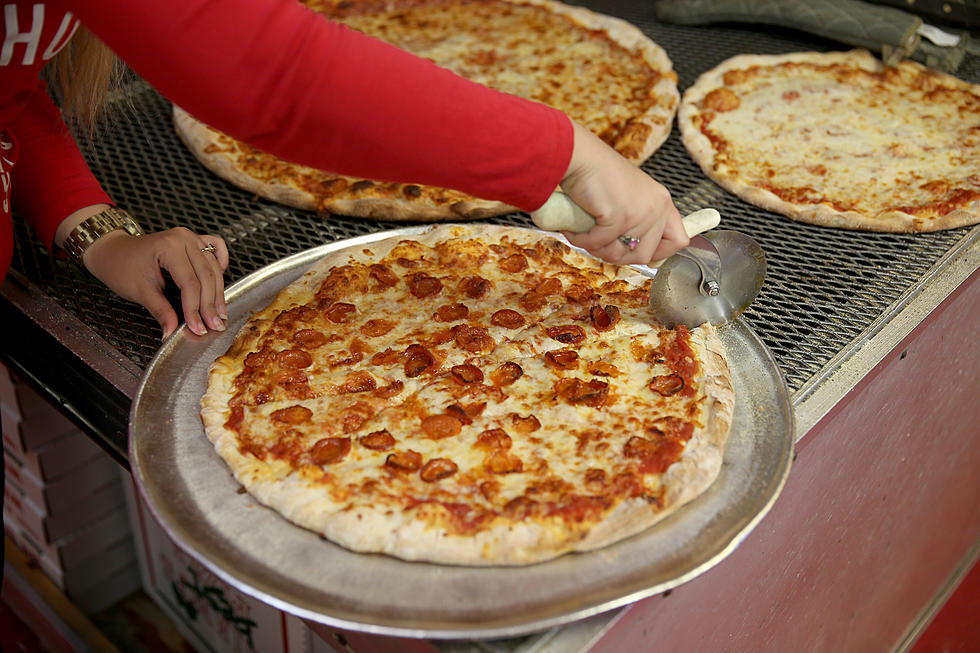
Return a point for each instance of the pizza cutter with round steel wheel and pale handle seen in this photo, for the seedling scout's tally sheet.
(713, 279)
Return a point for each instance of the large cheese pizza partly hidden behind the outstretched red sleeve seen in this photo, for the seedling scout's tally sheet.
(599, 70)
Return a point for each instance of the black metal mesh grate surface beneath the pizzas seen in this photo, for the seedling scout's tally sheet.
(824, 286)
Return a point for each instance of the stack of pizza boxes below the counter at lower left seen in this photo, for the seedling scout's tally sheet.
(63, 501)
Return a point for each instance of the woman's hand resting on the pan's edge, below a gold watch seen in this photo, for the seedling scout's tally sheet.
(132, 267)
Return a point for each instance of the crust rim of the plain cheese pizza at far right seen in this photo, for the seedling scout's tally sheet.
(704, 152)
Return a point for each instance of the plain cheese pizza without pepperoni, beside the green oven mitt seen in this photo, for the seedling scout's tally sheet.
(839, 139)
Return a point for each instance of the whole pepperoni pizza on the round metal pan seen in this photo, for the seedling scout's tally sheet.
(469, 394)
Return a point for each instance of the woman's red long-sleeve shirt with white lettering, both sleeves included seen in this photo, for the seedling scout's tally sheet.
(284, 79)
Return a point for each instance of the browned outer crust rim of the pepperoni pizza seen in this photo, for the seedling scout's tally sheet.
(403, 533)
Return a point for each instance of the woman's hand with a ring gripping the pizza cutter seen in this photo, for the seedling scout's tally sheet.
(625, 201)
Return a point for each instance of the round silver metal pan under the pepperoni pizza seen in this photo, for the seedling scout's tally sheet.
(193, 495)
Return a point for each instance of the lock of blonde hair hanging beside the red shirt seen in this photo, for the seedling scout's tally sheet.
(82, 75)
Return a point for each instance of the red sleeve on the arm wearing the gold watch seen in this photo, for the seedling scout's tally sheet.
(50, 179)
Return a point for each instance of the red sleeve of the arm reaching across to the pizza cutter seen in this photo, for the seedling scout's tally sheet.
(286, 80)
